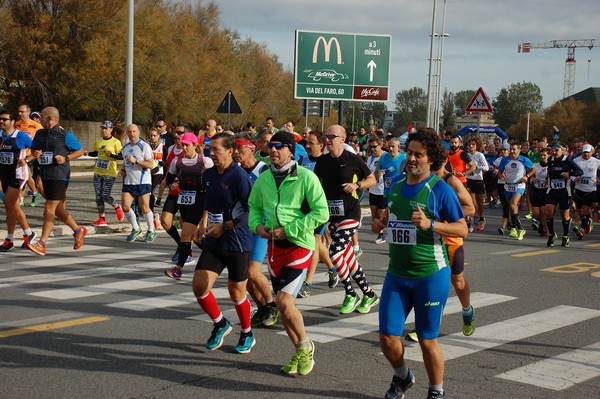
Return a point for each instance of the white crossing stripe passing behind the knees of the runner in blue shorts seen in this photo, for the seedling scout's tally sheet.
(353, 326)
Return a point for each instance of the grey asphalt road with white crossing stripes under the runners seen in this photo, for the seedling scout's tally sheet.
(103, 322)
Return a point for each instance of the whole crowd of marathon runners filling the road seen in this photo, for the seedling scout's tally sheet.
(294, 199)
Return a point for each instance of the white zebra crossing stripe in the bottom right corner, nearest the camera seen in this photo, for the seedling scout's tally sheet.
(561, 371)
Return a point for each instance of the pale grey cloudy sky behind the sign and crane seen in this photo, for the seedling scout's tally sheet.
(480, 50)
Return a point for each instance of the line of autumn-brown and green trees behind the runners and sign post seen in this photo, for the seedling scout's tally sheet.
(72, 54)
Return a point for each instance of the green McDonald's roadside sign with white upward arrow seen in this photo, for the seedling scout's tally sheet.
(342, 66)
